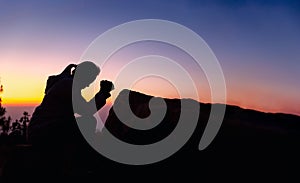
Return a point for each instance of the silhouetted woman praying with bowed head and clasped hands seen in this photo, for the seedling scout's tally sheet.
(53, 123)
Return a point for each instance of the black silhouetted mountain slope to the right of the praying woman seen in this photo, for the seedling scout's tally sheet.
(249, 142)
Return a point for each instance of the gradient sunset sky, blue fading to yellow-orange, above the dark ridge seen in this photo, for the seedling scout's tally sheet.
(256, 42)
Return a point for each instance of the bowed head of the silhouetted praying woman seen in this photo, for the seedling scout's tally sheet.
(85, 73)
